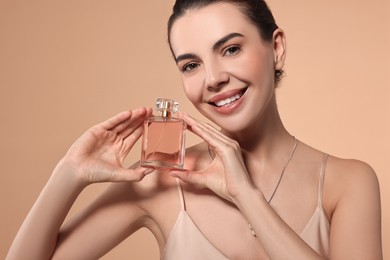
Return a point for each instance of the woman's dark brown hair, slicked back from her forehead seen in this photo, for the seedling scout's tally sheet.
(257, 11)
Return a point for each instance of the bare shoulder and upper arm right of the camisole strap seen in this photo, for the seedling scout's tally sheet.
(352, 202)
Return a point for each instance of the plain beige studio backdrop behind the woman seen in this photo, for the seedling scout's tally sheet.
(65, 65)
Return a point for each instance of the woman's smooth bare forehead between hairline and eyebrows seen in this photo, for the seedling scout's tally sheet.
(205, 26)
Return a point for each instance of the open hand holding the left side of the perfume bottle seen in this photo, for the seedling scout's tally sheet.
(98, 155)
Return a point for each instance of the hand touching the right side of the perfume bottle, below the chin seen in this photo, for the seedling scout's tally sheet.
(227, 174)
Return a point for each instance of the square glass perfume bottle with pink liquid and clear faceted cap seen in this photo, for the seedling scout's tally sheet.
(163, 143)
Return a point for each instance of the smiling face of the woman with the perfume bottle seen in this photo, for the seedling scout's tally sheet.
(226, 67)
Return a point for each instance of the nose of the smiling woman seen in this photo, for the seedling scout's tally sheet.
(216, 76)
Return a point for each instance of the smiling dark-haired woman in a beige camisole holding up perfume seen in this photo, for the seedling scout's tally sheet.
(249, 191)
